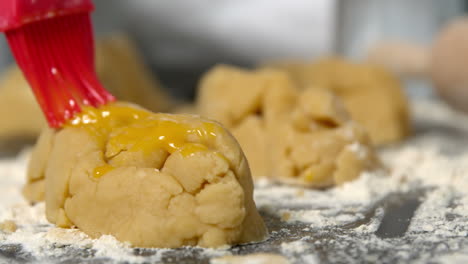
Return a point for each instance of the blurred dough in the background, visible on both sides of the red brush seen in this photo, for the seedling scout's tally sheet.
(119, 67)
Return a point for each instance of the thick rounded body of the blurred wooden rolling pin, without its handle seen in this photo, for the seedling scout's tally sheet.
(448, 66)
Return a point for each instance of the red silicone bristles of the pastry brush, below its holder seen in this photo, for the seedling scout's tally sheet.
(57, 58)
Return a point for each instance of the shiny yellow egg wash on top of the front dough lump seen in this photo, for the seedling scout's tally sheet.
(119, 126)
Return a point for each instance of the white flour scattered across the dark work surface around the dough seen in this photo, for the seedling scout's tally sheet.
(435, 162)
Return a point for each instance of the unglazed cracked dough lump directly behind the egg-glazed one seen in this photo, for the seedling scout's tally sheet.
(298, 137)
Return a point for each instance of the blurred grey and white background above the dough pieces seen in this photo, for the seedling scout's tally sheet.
(182, 39)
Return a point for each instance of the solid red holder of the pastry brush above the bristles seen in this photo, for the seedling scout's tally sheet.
(16, 13)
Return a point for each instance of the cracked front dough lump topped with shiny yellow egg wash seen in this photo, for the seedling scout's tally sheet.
(154, 180)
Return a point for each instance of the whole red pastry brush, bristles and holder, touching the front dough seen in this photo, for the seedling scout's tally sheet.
(52, 43)
